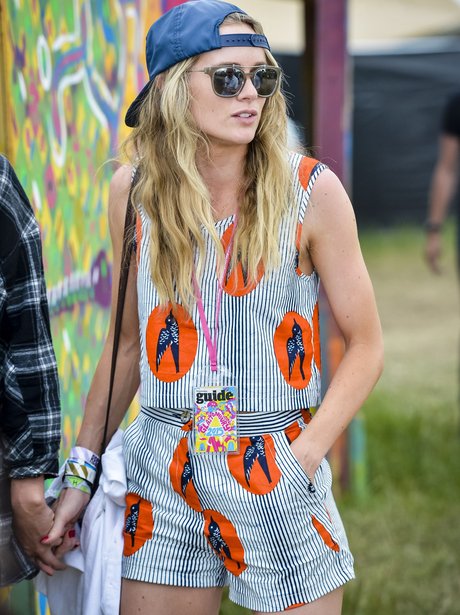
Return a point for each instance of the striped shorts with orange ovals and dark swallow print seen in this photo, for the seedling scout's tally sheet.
(249, 520)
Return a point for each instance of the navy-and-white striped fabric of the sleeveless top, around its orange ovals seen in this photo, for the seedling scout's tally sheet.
(247, 325)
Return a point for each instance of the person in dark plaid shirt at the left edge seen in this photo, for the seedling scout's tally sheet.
(29, 390)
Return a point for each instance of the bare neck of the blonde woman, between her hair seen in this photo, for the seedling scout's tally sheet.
(223, 174)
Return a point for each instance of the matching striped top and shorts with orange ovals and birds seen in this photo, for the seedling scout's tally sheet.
(250, 520)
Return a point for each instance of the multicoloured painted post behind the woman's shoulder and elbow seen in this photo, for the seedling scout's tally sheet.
(326, 78)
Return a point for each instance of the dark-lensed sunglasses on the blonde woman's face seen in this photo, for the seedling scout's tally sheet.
(228, 80)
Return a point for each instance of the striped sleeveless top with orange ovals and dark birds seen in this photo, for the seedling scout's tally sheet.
(268, 334)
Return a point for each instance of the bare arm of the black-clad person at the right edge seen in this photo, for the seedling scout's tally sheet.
(444, 184)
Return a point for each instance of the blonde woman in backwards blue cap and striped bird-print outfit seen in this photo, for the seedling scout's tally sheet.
(232, 235)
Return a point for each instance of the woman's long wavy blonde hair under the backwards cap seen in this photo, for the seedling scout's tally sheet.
(176, 199)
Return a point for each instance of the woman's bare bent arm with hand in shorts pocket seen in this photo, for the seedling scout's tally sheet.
(330, 244)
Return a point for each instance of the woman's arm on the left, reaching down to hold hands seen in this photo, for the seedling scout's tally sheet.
(73, 501)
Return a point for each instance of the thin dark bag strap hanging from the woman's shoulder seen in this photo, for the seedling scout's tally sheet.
(125, 266)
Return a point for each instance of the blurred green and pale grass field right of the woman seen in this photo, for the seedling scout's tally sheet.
(405, 534)
